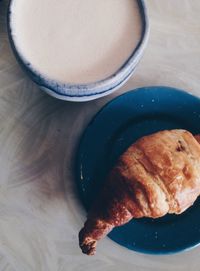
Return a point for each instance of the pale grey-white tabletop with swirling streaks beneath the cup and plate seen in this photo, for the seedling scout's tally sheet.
(39, 219)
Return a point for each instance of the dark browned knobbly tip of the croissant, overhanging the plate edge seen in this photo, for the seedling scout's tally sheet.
(87, 244)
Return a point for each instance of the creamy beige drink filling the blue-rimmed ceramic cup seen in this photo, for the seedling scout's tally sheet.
(76, 41)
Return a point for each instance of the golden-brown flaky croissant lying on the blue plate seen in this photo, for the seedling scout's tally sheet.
(159, 174)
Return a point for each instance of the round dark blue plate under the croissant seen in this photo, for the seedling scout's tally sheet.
(113, 129)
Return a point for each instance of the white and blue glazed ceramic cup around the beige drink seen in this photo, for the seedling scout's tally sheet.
(91, 91)
